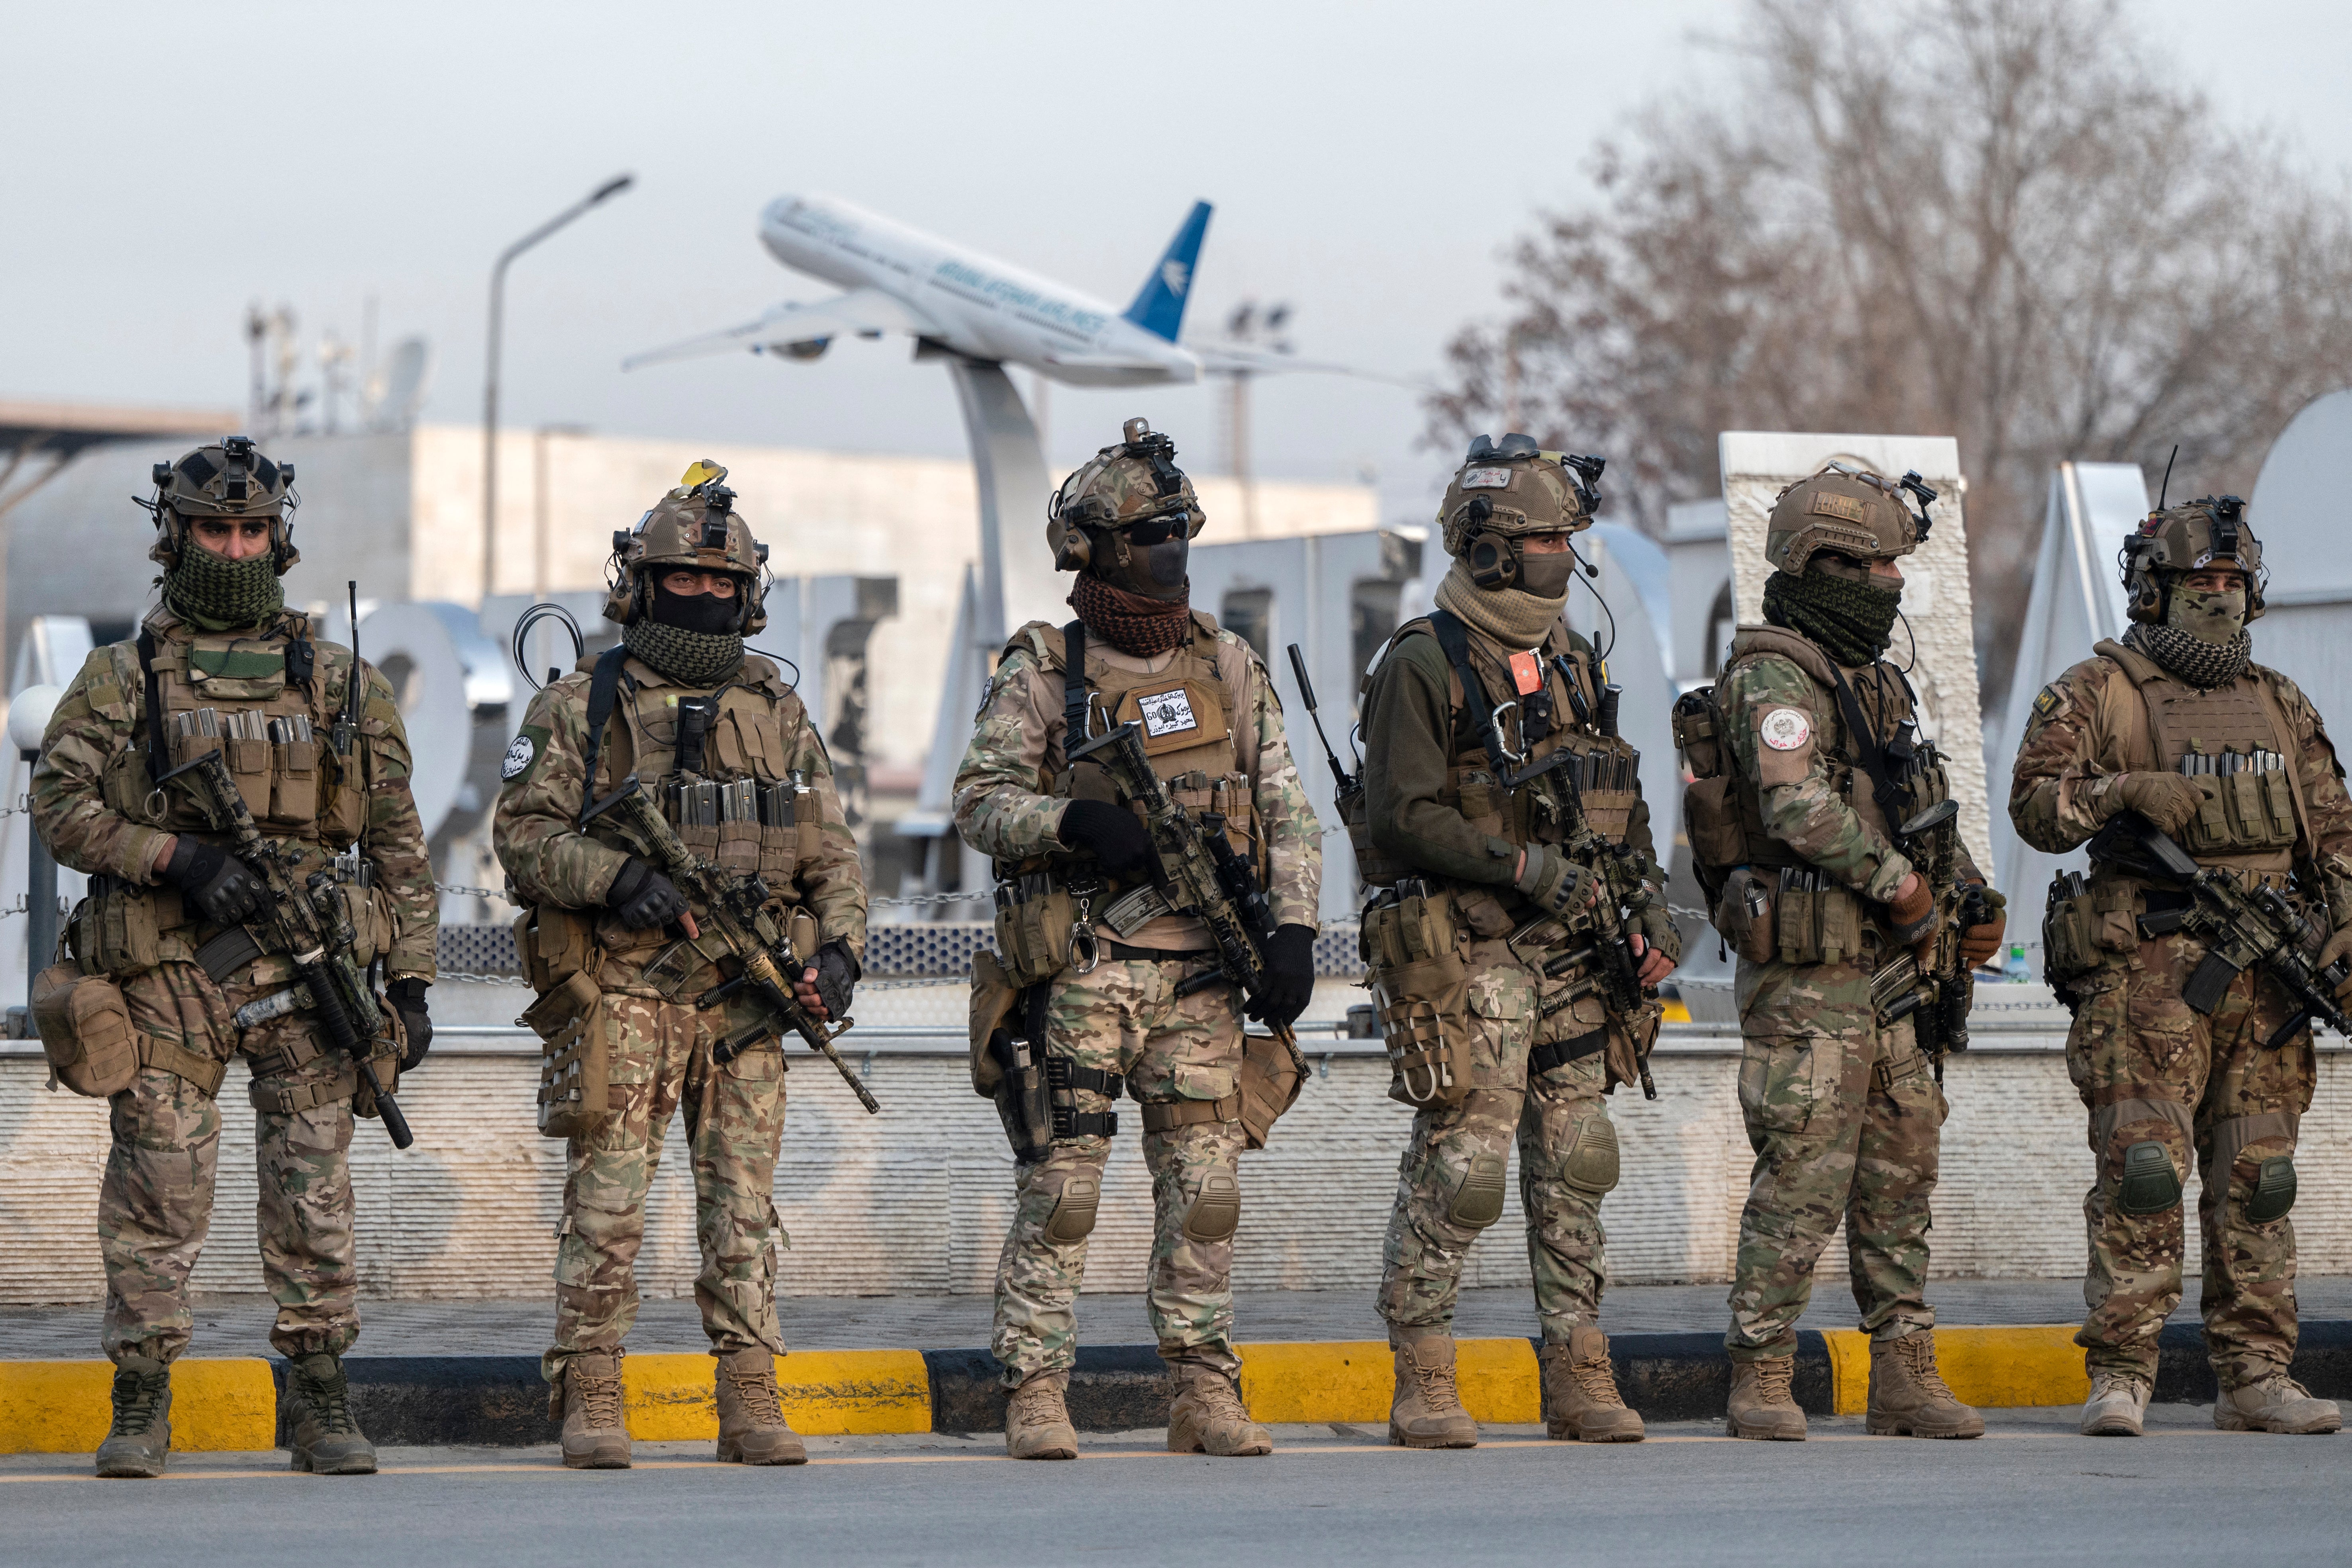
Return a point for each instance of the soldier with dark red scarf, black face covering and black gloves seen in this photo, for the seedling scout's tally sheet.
(1135, 1007)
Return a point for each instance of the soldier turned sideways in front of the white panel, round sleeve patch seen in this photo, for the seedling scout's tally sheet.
(1796, 838)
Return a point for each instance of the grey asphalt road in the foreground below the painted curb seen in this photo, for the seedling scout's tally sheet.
(2026, 1494)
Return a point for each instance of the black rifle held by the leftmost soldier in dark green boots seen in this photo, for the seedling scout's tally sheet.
(307, 925)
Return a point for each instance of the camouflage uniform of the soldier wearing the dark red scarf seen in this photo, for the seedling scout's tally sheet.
(1123, 1017)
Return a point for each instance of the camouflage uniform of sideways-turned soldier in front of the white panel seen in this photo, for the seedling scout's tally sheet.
(1840, 1111)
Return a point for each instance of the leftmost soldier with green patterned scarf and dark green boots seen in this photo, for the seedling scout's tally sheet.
(222, 664)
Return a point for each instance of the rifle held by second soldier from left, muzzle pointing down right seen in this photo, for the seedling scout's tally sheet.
(759, 942)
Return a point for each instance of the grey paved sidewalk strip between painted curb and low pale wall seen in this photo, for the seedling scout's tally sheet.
(241, 1325)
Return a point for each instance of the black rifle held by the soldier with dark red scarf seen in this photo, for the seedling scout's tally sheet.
(1194, 873)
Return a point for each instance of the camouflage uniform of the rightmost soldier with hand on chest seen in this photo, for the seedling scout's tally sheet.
(2153, 1068)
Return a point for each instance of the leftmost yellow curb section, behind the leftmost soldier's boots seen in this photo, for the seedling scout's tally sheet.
(65, 1407)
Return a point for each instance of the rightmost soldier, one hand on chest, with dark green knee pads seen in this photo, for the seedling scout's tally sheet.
(2181, 728)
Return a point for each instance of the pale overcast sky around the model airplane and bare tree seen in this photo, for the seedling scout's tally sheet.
(1370, 163)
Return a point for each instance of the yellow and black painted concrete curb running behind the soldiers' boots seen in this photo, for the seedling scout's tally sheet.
(500, 1402)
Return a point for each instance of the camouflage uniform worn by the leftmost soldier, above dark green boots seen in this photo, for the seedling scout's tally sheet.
(98, 812)
